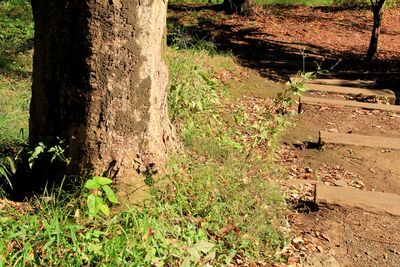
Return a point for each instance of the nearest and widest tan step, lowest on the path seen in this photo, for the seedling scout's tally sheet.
(377, 202)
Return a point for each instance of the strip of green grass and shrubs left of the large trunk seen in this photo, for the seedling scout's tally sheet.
(16, 33)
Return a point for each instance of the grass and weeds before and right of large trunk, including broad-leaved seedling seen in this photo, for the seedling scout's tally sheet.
(210, 207)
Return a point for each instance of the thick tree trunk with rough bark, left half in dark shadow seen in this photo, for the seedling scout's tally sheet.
(100, 84)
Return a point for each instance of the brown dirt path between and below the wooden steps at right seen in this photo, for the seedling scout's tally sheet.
(354, 237)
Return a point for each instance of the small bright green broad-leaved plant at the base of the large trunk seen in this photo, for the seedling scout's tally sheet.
(95, 200)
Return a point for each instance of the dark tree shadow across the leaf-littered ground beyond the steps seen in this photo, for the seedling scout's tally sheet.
(275, 59)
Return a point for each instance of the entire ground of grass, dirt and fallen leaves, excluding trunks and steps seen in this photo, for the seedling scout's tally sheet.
(266, 50)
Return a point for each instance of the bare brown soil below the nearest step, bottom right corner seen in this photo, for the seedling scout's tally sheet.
(354, 237)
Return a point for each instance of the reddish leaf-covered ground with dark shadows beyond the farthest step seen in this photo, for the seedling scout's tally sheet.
(273, 41)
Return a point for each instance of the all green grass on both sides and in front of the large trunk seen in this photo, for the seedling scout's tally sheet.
(214, 204)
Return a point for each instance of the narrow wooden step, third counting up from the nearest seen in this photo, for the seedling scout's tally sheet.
(348, 103)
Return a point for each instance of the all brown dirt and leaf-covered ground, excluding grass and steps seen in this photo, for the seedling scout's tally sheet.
(271, 46)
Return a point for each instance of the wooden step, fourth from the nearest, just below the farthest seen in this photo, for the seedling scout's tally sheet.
(381, 94)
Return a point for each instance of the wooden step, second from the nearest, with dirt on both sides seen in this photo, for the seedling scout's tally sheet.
(359, 140)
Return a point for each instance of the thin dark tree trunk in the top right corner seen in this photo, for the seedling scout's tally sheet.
(377, 9)
